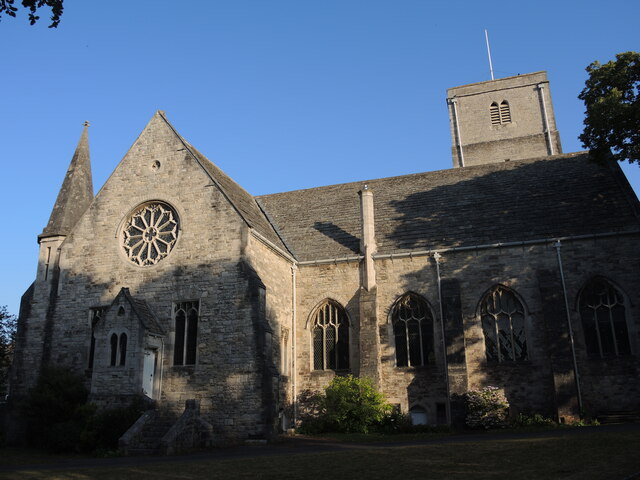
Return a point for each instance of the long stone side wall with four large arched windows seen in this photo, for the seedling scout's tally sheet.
(530, 386)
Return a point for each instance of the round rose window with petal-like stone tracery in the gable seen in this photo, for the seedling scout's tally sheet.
(150, 233)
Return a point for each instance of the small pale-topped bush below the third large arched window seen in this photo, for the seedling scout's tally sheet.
(486, 408)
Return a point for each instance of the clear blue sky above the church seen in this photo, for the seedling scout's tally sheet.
(281, 94)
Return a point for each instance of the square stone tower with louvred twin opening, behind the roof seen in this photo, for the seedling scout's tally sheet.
(500, 120)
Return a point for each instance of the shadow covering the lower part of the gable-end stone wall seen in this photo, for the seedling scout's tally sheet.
(234, 379)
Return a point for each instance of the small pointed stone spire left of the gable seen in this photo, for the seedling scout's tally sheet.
(76, 193)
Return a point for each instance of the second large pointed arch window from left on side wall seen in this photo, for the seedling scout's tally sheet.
(413, 331)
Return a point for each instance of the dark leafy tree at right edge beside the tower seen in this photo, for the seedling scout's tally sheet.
(612, 99)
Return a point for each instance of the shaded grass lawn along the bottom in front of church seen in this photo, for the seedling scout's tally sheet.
(554, 455)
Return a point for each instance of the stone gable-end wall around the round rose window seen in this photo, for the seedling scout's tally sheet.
(204, 266)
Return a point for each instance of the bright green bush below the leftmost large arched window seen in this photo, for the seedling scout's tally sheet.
(348, 405)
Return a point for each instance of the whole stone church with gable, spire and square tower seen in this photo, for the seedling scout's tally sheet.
(517, 268)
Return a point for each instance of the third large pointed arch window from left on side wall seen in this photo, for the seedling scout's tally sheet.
(502, 315)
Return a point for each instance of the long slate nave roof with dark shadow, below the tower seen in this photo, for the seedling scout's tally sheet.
(548, 197)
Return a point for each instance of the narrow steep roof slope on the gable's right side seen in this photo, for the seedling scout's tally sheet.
(244, 203)
